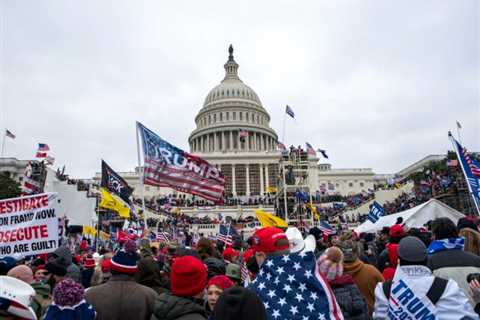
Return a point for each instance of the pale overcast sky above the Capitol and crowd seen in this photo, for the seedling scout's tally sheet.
(376, 83)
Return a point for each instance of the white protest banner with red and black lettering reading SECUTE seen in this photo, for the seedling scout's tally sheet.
(29, 225)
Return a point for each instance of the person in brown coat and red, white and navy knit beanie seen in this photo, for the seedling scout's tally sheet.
(121, 298)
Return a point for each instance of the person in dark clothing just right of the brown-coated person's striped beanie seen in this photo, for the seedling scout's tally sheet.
(148, 272)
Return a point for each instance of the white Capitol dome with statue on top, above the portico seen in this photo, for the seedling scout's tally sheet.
(232, 118)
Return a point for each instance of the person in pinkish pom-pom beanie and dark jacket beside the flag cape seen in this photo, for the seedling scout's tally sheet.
(349, 298)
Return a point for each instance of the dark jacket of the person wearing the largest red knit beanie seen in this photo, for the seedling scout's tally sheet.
(170, 307)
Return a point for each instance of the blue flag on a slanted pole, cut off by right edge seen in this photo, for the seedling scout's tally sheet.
(471, 170)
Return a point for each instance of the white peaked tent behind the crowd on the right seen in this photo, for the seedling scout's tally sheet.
(414, 217)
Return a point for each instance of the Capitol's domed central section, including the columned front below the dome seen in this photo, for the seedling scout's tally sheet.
(233, 133)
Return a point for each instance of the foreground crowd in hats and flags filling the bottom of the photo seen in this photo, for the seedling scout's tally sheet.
(427, 272)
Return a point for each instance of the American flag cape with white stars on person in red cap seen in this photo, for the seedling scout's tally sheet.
(291, 288)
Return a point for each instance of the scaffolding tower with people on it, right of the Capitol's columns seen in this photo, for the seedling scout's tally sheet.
(294, 199)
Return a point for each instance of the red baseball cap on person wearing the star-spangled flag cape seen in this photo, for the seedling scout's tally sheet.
(268, 240)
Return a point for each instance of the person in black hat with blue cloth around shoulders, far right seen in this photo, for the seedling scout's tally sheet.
(447, 258)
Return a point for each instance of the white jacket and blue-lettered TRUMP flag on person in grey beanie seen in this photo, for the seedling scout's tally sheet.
(408, 298)
